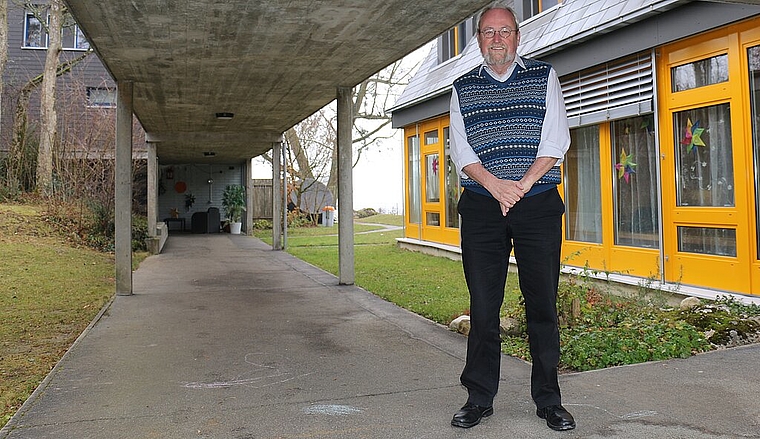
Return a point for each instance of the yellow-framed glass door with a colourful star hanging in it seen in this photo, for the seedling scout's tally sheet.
(705, 205)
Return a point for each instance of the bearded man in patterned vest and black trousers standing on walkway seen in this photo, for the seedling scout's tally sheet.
(509, 134)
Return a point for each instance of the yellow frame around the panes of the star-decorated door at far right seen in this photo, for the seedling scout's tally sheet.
(719, 272)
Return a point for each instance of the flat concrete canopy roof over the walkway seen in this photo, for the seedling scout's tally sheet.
(272, 63)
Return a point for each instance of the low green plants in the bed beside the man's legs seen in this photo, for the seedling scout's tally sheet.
(600, 329)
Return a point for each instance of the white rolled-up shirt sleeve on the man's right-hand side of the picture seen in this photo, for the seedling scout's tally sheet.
(555, 133)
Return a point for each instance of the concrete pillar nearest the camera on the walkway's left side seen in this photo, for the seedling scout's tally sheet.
(123, 191)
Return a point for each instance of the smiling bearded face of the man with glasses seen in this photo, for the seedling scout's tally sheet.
(498, 51)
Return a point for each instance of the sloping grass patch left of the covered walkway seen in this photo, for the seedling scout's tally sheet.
(49, 293)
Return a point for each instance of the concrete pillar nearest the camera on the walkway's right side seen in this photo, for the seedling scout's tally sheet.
(345, 187)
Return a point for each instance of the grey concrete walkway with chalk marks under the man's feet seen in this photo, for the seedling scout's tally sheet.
(225, 338)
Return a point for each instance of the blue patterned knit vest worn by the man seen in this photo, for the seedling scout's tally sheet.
(503, 120)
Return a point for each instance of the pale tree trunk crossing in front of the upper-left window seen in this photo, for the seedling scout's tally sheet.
(48, 117)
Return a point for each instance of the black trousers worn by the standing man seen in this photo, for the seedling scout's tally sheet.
(533, 228)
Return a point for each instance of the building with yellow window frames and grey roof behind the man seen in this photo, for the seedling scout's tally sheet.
(662, 179)
